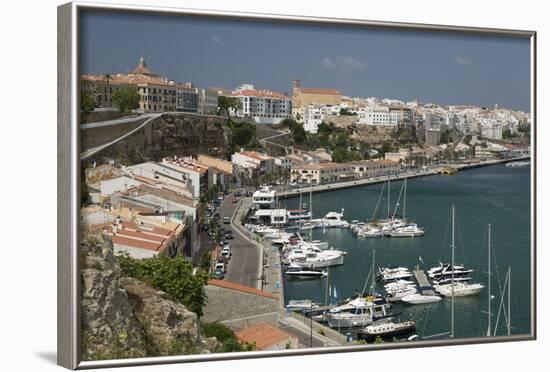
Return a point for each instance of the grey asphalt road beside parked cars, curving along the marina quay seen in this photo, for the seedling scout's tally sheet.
(245, 258)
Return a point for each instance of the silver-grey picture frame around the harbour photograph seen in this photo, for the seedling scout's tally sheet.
(68, 183)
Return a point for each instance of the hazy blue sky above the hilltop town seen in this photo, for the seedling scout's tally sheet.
(445, 68)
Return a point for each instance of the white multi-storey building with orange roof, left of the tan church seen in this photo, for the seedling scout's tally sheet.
(263, 106)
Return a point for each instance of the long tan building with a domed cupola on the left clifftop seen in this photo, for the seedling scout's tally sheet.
(157, 94)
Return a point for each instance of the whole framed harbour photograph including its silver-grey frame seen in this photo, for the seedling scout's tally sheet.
(236, 185)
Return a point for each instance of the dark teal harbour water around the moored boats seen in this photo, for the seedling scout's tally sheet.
(497, 194)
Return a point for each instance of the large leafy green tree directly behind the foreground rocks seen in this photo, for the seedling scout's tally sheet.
(175, 276)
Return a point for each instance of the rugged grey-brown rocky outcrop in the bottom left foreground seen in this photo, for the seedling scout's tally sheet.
(126, 318)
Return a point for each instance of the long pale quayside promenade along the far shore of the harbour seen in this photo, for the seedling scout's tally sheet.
(394, 177)
